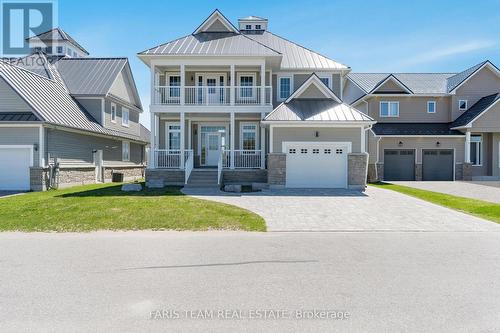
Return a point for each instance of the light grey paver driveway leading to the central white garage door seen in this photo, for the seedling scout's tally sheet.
(341, 210)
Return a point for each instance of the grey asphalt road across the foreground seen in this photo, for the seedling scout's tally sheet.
(216, 282)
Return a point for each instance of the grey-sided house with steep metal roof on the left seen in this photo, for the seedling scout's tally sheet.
(67, 118)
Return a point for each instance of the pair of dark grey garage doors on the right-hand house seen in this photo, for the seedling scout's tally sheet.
(437, 164)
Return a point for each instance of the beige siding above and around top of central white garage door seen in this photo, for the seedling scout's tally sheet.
(301, 134)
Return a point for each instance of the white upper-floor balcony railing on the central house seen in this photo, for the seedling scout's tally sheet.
(213, 95)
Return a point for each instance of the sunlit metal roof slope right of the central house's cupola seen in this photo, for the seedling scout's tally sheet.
(295, 56)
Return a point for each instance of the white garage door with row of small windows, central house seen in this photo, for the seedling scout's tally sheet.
(316, 164)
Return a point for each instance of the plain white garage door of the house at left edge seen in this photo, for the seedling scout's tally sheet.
(15, 168)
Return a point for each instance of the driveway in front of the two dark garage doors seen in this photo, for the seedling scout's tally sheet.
(487, 191)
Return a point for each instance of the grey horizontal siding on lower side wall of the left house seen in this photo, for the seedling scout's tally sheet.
(76, 149)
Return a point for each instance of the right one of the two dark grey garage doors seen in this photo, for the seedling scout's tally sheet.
(437, 164)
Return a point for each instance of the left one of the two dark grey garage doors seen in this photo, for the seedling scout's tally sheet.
(399, 164)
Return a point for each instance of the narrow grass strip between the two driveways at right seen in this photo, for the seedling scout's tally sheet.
(479, 208)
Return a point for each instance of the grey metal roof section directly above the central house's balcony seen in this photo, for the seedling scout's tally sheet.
(213, 43)
